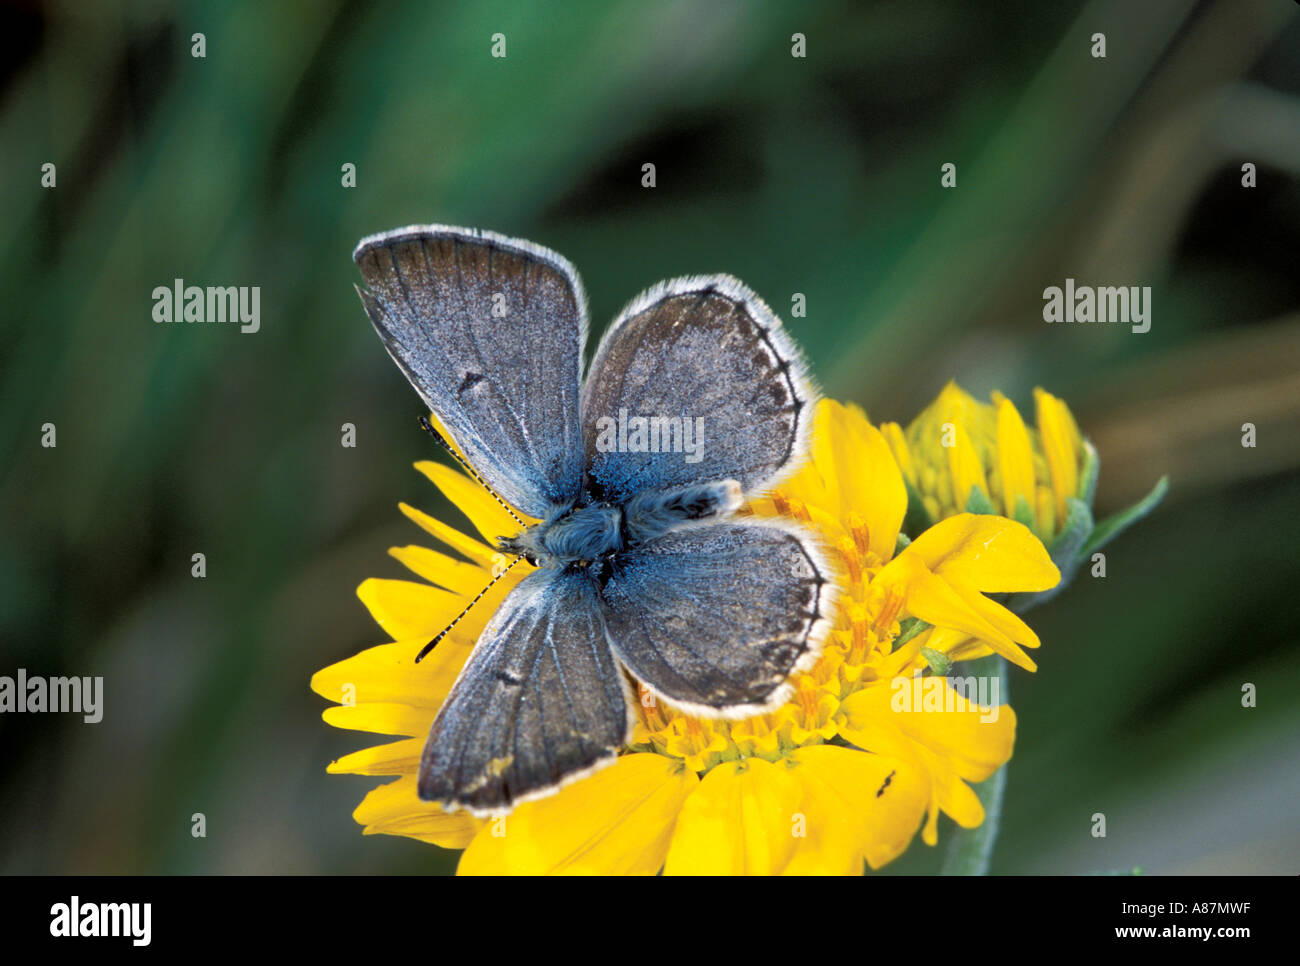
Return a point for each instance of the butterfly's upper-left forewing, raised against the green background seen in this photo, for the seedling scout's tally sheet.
(491, 332)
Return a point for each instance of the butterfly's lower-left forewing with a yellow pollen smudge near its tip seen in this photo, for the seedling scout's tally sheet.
(541, 701)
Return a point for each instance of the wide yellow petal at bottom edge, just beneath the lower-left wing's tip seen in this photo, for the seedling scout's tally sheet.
(616, 822)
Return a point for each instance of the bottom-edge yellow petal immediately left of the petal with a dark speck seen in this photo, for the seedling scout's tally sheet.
(740, 821)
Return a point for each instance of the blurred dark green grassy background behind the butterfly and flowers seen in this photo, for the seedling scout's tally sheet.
(816, 176)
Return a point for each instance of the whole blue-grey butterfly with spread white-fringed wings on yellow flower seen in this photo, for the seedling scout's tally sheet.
(696, 401)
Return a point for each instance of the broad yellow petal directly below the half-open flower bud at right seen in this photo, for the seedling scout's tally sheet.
(987, 553)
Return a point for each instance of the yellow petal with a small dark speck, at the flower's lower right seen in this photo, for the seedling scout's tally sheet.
(859, 805)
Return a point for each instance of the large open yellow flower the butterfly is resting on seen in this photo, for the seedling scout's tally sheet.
(846, 773)
